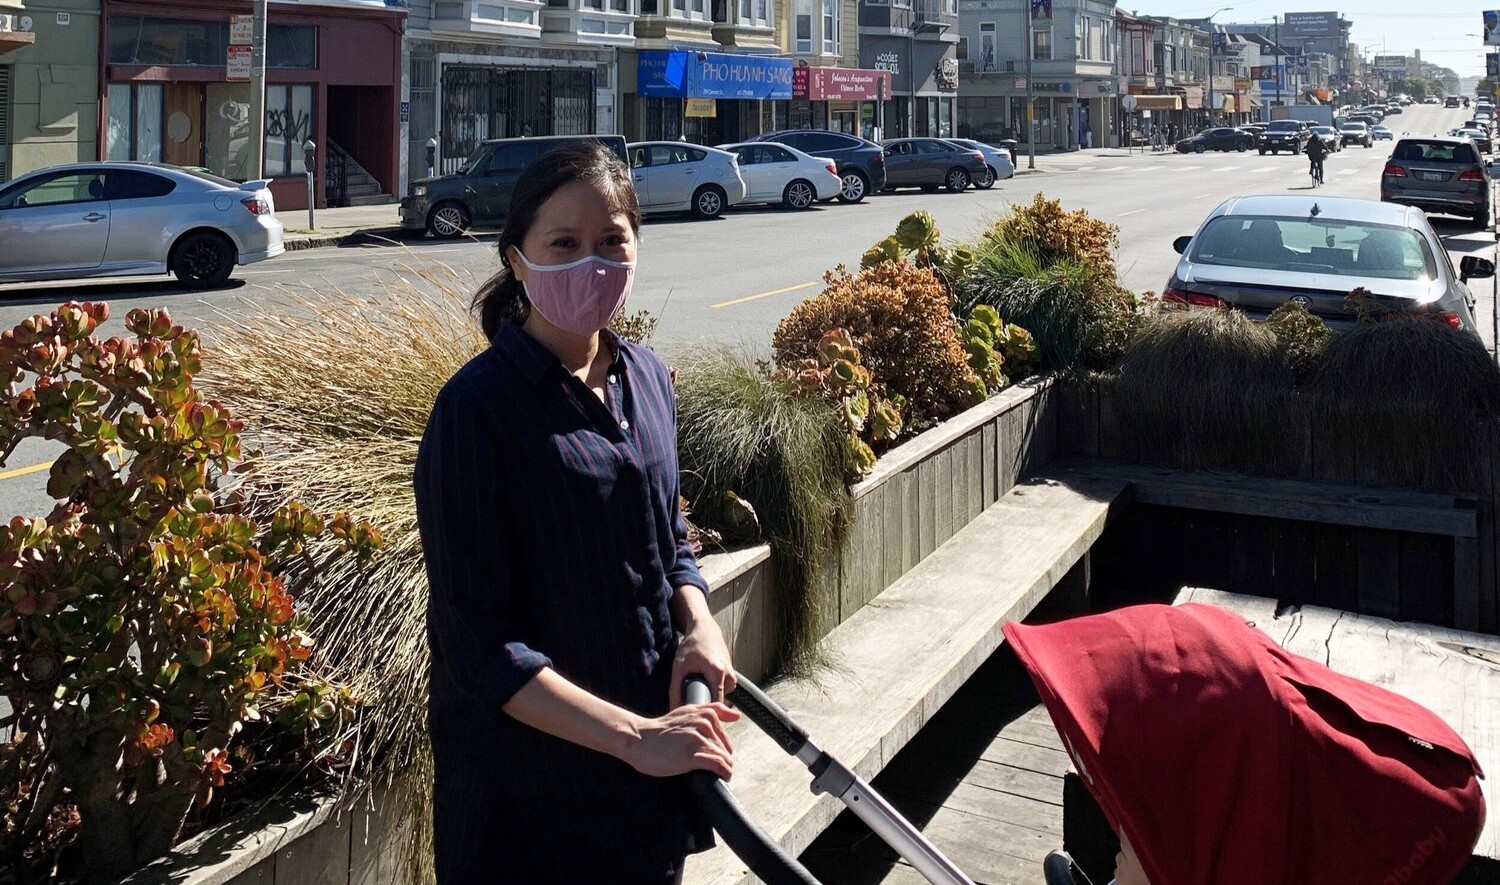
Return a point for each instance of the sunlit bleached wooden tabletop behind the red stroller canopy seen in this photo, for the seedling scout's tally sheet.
(1447, 671)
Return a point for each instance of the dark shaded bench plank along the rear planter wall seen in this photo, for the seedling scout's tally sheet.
(1300, 500)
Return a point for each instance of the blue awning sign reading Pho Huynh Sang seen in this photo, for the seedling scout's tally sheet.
(670, 74)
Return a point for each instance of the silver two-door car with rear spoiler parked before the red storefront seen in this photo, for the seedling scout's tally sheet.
(122, 218)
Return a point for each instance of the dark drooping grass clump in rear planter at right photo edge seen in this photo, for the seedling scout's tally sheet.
(1411, 401)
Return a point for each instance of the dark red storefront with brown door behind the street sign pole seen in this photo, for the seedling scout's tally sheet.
(332, 76)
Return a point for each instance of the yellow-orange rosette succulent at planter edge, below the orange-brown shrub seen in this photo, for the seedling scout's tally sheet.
(839, 377)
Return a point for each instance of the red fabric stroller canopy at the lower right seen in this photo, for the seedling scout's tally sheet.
(1231, 761)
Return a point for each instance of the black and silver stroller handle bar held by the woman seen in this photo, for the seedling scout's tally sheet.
(760, 851)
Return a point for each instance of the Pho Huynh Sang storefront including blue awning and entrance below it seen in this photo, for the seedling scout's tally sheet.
(707, 98)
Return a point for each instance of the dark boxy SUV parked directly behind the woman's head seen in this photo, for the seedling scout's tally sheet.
(479, 194)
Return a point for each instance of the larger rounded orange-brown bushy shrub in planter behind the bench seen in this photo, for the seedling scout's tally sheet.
(908, 337)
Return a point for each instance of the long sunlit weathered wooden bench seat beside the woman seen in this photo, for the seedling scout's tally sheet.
(901, 658)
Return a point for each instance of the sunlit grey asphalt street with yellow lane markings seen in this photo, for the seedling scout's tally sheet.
(730, 281)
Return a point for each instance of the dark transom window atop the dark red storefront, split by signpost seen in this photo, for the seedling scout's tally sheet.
(182, 41)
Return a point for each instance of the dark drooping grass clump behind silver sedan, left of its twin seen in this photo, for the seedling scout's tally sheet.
(1210, 391)
